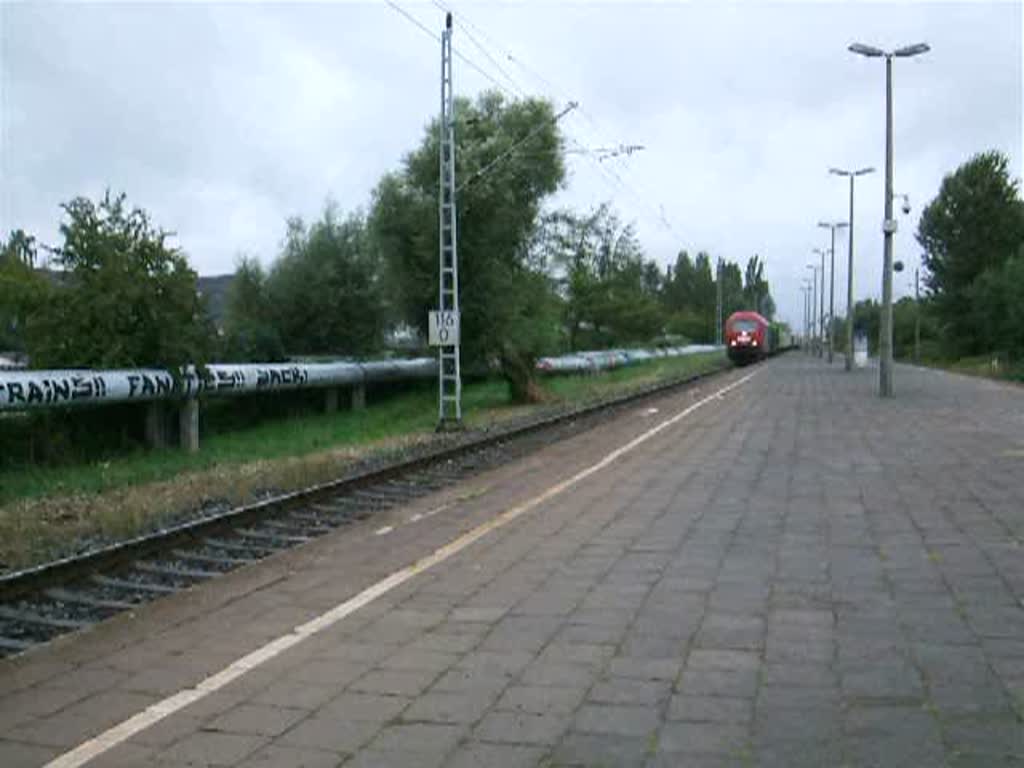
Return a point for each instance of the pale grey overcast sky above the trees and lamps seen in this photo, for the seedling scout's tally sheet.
(222, 120)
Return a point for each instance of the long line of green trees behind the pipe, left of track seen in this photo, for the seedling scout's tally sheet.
(534, 281)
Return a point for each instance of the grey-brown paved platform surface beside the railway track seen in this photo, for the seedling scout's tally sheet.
(797, 574)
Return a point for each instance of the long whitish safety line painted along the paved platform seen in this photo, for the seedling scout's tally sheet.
(155, 713)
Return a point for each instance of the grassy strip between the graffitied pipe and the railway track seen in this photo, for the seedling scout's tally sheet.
(54, 511)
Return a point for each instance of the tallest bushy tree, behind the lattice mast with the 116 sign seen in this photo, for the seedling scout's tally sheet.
(508, 161)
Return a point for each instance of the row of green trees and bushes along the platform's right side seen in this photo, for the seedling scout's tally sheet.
(972, 271)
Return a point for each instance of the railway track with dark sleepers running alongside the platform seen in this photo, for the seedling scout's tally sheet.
(45, 603)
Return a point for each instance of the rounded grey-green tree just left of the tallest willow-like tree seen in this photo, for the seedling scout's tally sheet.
(325, 290)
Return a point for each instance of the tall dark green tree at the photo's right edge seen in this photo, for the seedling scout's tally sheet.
(974, 225)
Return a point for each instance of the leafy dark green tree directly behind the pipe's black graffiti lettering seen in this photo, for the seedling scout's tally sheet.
(127, 298)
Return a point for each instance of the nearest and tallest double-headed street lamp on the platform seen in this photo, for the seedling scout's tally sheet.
(889, 226)
